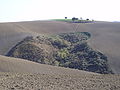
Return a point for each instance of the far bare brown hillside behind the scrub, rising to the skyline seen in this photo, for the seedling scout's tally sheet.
(105, 35)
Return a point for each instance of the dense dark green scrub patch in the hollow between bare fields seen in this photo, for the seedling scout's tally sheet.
(65, 50)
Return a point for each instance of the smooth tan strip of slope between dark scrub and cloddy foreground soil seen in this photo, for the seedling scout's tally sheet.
(15, 65)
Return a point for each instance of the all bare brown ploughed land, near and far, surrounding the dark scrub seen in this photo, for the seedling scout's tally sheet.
(21, 74)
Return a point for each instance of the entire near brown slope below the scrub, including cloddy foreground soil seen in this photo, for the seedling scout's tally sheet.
(20, 74)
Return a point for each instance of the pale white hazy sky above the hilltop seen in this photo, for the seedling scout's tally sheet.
(24, 10)
